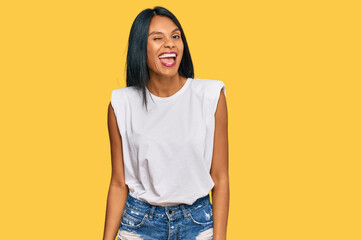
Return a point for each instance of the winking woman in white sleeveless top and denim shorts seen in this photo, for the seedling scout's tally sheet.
(169, 141)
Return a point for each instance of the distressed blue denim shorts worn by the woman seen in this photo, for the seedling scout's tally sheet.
(141, 220)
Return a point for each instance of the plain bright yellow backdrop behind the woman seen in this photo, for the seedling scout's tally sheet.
(292, 76)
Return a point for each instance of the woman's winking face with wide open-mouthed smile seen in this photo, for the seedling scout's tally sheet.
(164, 37)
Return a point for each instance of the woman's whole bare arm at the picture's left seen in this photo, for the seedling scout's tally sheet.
(118, 191)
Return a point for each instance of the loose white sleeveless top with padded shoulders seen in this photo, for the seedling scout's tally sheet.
(168, 149)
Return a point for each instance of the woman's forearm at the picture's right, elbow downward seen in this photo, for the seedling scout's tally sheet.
(220, 202)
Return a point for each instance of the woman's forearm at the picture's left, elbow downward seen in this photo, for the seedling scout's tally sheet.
(117, 197)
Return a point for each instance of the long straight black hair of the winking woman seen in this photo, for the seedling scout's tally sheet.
(137, 68)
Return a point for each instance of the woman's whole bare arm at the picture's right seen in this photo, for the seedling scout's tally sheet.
(219, 171)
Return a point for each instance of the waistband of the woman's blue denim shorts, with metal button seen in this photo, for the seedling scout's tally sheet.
(173, 210)
